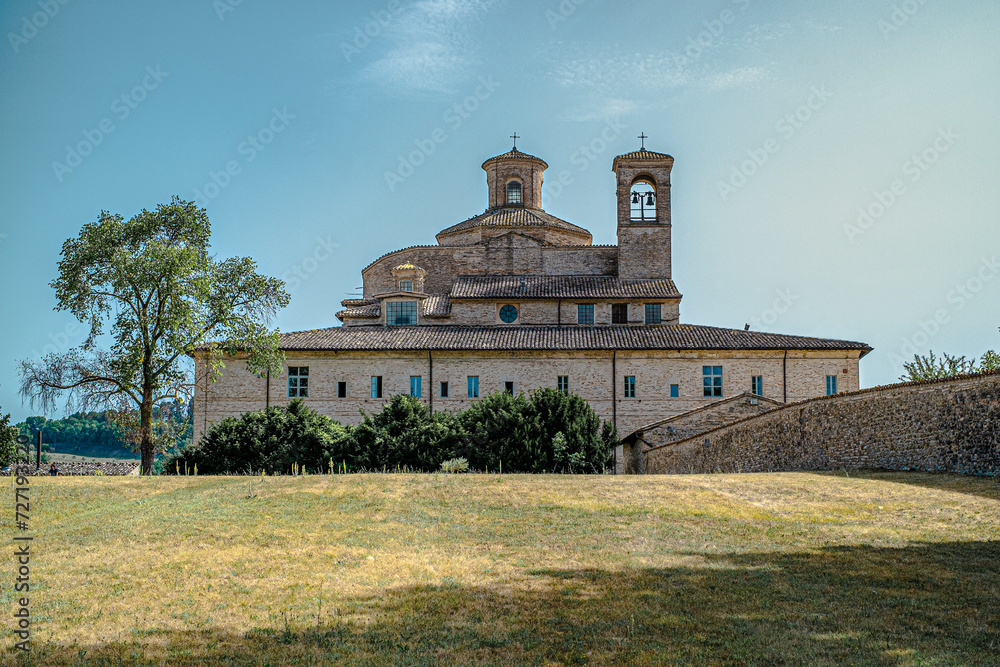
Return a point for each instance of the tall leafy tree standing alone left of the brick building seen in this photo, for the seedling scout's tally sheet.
(154, 281)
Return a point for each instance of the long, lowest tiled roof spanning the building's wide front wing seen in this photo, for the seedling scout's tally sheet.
(484, 338)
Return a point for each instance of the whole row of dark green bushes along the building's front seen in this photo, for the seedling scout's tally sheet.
(545, 432)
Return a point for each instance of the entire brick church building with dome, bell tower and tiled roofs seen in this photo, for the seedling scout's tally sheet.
(515, 299)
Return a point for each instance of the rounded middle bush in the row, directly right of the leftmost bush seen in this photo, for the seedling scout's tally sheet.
(405, 434)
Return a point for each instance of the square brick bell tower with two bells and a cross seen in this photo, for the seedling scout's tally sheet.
(643, 214)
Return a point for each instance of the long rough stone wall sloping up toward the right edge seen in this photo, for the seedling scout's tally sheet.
(944, 425)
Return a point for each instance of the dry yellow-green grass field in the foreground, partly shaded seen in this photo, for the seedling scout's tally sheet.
(778, 569)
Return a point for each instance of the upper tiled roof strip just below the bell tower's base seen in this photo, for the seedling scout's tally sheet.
(547, 287)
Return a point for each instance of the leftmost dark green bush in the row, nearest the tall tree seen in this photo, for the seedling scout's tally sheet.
(274, 440)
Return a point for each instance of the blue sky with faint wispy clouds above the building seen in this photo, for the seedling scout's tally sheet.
(835, 162)
